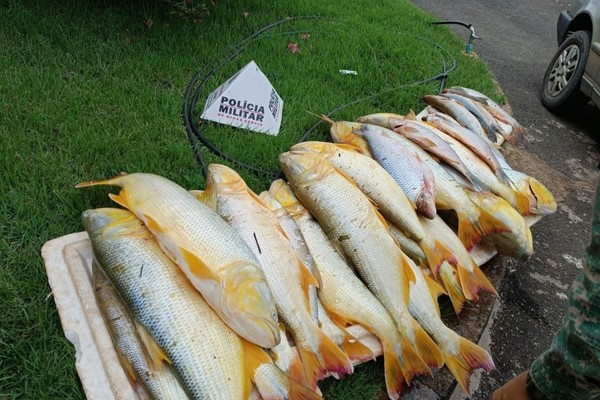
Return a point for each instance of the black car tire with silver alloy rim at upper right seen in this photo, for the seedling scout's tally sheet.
(561, 85)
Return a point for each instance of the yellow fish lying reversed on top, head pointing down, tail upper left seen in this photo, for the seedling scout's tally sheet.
(211, 254)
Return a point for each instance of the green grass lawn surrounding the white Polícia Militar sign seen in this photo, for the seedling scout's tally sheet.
(88, 90)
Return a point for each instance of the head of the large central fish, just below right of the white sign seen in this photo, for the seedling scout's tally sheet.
(303, 167)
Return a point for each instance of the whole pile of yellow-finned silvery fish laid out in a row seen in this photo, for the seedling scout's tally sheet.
(222, 290)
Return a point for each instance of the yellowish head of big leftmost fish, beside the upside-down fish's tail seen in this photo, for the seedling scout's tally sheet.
(106, 222)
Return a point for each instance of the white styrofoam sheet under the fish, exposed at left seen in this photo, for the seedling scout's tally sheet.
(68, 266)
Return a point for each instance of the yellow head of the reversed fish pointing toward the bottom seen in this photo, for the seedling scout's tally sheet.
(249, 303)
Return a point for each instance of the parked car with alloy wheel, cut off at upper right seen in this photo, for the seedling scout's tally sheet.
(573, 75)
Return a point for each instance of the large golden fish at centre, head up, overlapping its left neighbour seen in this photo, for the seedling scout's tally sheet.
(353, 223)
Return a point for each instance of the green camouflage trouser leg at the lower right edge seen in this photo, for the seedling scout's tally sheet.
(570, 369)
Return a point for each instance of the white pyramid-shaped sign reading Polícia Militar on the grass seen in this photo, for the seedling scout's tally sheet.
(246, 100)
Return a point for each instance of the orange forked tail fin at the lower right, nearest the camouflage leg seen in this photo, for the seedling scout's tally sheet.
(469, 358)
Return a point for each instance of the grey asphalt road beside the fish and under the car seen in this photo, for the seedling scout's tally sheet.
(518, 40)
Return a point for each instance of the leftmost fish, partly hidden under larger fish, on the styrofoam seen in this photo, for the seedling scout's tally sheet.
(142, 358)
